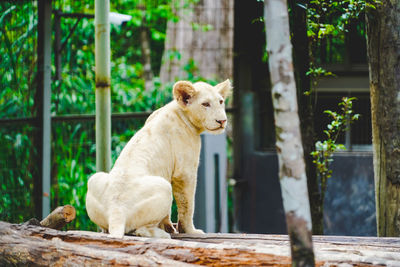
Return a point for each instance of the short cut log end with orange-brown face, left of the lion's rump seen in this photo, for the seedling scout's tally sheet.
(59, 217)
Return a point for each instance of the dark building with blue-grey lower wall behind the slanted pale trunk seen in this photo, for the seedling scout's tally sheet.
(350, 197)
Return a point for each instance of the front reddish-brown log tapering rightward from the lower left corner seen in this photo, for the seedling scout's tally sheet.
(28, 244)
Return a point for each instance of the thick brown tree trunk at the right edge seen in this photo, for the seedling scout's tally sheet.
(383, 44)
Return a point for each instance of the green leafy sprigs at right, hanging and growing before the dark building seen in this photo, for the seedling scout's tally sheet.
(328, 21)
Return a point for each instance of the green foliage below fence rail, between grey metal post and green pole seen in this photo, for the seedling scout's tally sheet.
(73, 161)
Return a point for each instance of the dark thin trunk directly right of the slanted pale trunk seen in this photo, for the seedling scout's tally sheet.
(301, 60)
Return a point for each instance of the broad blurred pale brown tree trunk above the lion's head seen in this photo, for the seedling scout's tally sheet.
(200, 42)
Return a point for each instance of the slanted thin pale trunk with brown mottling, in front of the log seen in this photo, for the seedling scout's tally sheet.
(289, 148)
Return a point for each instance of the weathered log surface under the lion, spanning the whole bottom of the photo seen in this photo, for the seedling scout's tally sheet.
(27, 245)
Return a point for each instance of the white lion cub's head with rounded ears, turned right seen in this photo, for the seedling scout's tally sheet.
(204, 104)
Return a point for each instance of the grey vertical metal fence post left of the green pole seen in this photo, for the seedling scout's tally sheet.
(42, 187)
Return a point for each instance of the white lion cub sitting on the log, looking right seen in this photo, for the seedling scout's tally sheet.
(161, 159)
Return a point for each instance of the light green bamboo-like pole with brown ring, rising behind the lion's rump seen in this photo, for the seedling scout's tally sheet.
(103, 102)
